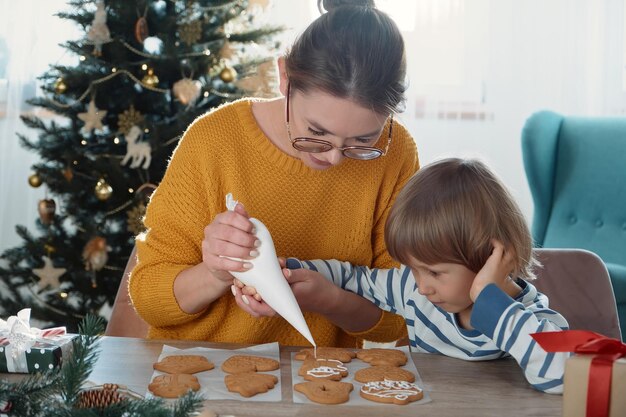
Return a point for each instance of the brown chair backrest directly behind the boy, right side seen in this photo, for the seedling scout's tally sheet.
(577, 284)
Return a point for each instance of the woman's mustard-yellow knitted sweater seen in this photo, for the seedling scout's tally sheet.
(338, 213)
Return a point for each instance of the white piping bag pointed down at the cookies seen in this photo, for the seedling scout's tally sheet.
(267, 277)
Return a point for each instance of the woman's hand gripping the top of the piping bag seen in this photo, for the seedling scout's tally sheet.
(230, 235)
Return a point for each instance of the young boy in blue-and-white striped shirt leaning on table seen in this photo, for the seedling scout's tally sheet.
(467, 258)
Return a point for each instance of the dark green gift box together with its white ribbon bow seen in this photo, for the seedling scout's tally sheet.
(28, 349)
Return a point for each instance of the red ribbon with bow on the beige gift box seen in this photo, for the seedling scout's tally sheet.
(584, 342)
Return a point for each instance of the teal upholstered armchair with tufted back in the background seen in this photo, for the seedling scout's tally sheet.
(576, 170)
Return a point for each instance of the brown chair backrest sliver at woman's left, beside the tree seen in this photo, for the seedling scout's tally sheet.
(124, 320)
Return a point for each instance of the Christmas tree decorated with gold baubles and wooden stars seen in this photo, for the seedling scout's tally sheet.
(145, 70)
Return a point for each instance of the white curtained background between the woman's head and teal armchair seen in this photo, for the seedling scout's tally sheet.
(479, 68)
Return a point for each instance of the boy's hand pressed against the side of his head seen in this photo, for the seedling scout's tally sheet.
(496, 270)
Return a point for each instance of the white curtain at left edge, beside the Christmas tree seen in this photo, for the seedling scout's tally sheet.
(29, 38)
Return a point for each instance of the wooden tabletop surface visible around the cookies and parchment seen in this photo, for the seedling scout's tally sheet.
(457, 388)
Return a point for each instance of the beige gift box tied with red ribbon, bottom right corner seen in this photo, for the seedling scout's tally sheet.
(595, 376)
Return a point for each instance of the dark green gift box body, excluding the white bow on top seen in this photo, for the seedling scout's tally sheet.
(44, 354)
